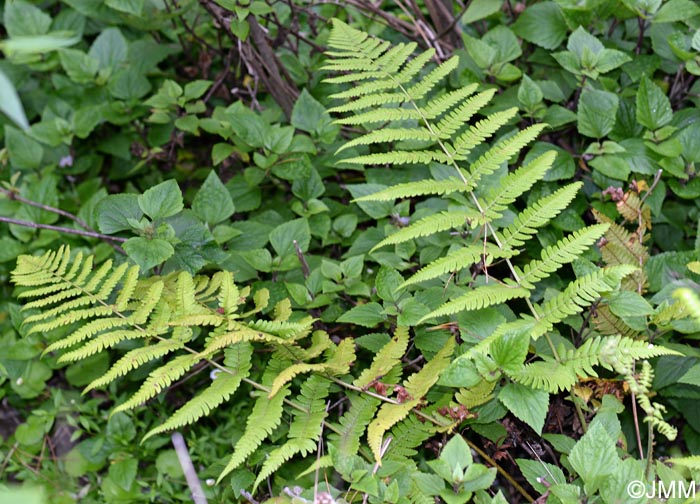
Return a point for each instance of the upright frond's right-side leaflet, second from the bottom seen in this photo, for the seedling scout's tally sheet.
(579, 294)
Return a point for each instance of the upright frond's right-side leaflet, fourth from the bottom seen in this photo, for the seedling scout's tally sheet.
(537, 215)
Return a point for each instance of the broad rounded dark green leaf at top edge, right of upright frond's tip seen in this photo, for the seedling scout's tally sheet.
(542, 24)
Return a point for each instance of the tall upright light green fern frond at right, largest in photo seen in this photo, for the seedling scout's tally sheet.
(412, 120)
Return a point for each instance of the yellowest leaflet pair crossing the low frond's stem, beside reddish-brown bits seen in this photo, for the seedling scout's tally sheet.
(417, 385)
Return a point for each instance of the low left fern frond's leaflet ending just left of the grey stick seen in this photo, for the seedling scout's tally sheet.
(225, 384)
